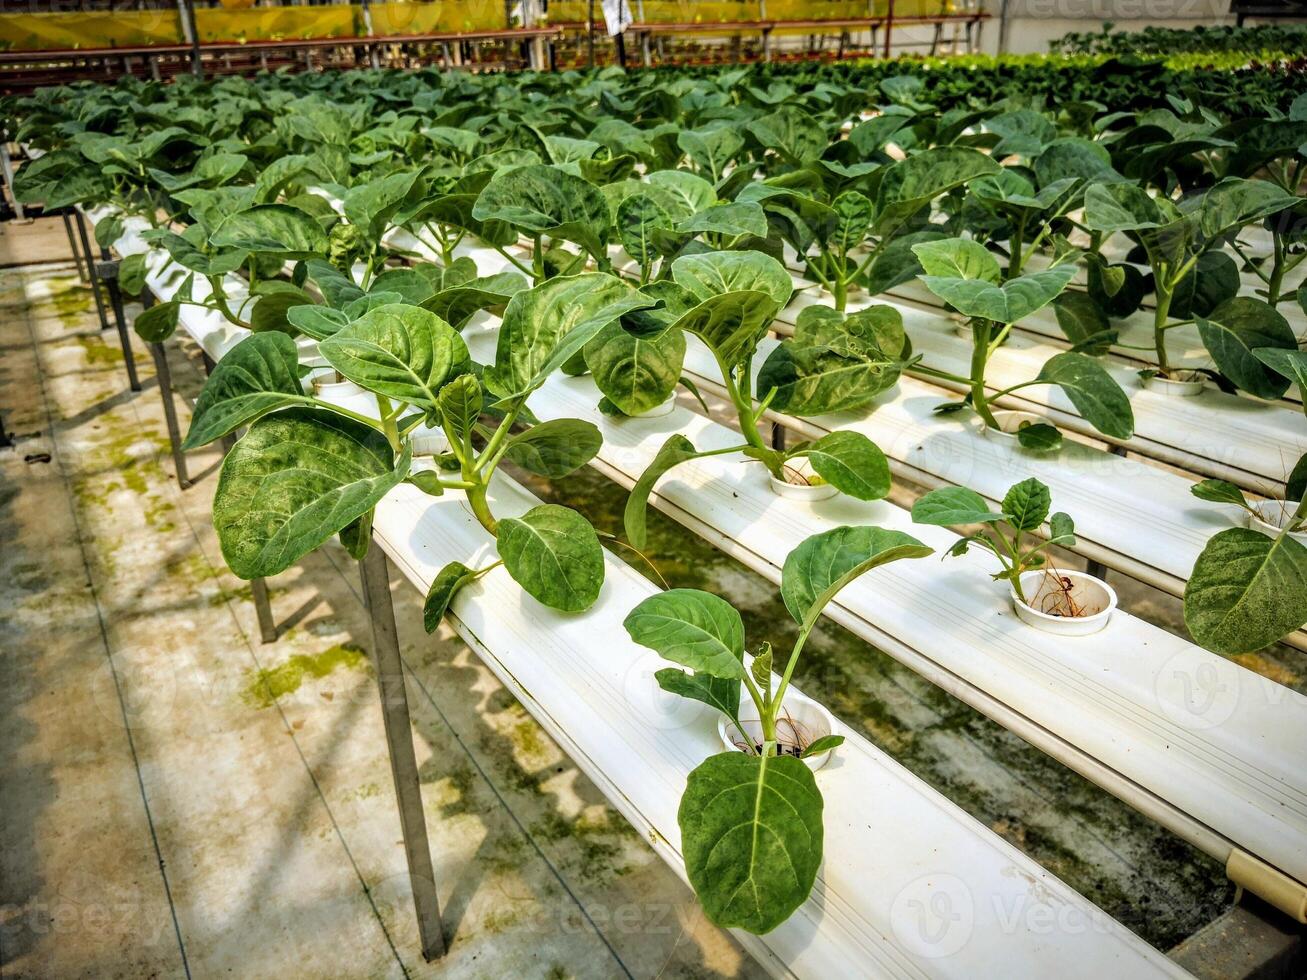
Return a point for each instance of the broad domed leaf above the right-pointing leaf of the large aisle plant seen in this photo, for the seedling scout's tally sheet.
(546, 201)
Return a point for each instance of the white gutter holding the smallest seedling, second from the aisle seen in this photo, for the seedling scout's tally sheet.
(1125, 708)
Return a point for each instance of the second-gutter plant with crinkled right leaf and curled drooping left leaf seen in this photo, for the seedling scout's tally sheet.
(729, 301)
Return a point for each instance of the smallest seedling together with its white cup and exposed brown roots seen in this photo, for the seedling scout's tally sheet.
(1041, 593)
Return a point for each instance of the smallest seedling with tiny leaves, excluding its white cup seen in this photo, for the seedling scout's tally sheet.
(1025, 510)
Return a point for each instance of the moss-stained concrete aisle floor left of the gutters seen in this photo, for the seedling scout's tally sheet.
(178, 798)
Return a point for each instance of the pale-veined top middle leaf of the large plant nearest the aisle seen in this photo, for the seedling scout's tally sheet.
(398, 351)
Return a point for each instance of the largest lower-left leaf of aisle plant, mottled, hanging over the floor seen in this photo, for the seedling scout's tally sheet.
(296, 479)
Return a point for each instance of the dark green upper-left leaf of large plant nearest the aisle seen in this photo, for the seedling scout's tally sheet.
(257, 377)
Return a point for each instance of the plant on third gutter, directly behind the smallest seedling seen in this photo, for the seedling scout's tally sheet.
(968, 278)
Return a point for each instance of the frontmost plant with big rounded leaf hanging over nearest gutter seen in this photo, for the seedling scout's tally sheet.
(752, 819)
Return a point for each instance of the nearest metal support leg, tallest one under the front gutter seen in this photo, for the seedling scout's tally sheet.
(399, 743)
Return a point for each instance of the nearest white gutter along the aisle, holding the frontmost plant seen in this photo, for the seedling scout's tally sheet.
(916, 888)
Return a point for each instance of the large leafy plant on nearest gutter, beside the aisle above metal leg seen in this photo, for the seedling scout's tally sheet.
(309, 468)
